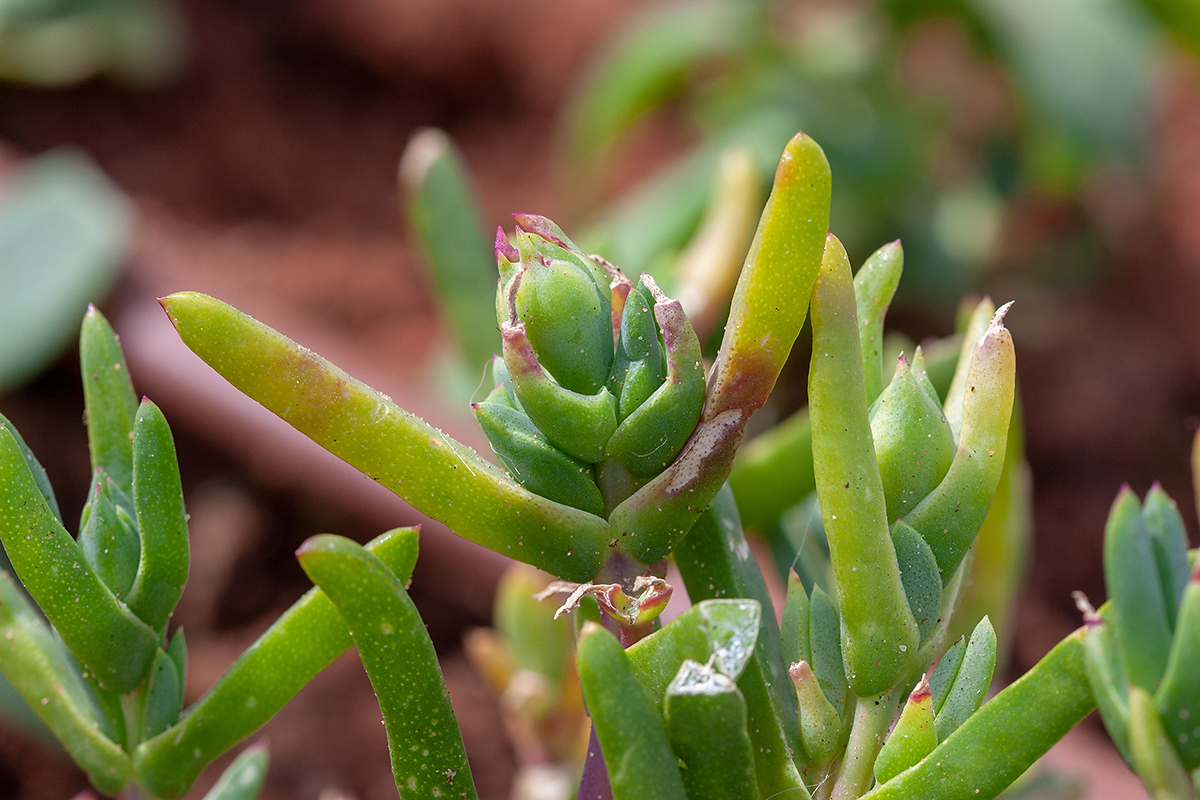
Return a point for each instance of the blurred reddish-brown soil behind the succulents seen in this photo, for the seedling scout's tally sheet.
(266, 175)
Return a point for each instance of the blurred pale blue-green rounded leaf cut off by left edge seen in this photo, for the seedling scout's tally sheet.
(64, 233)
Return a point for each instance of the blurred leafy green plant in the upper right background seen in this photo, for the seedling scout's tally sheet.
(937, 116)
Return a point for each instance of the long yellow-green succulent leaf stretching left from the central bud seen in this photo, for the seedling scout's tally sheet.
(436, 474)
